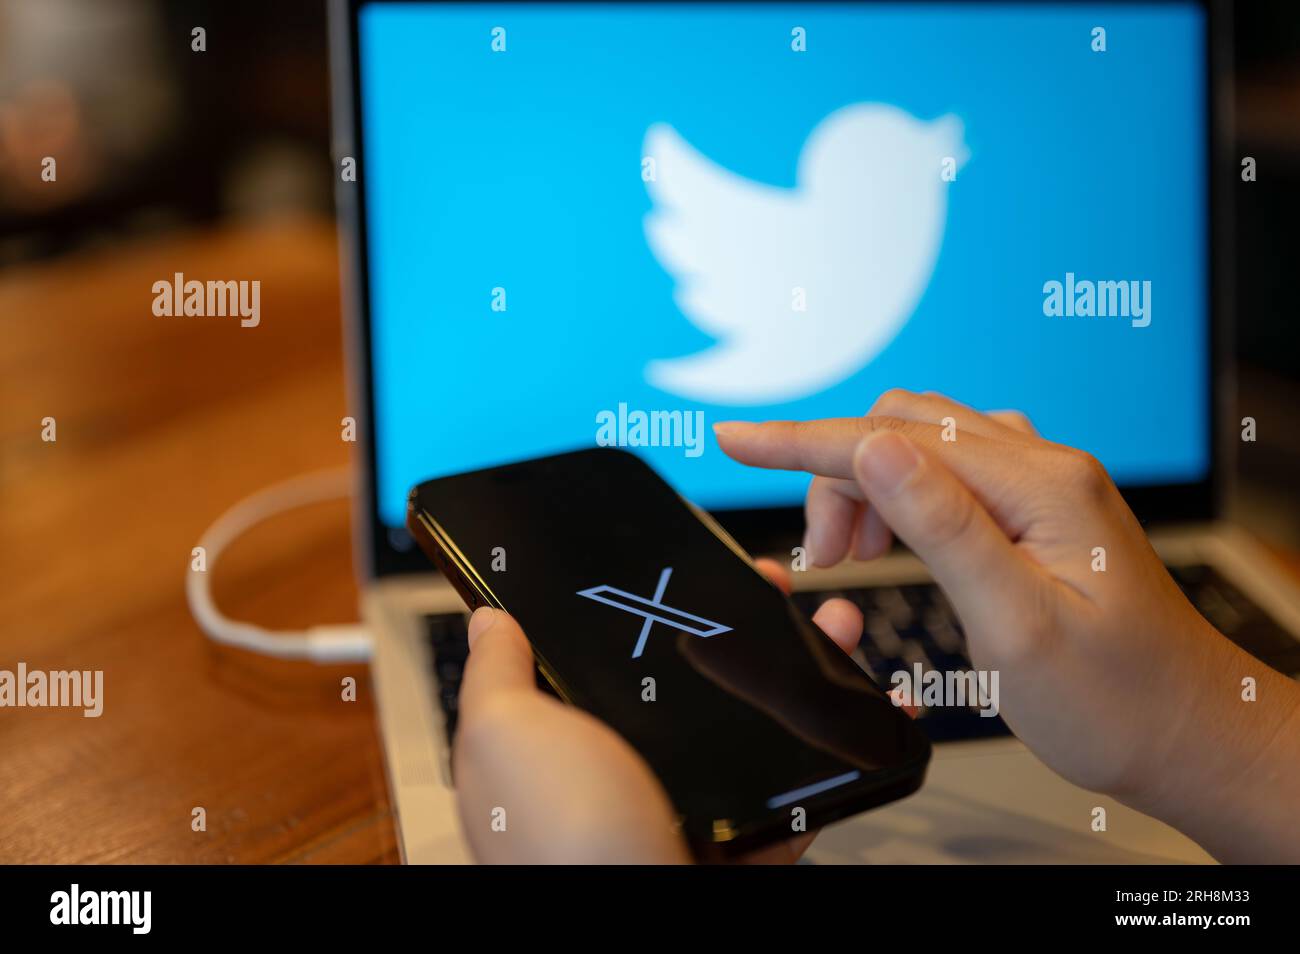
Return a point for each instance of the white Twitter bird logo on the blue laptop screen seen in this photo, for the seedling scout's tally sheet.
(859, 235)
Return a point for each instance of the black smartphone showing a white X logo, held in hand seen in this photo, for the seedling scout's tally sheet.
(643, 612)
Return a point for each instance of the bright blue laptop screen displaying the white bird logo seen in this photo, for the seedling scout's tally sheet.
(622, 223)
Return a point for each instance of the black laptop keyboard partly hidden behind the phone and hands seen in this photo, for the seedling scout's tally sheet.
(915, 623)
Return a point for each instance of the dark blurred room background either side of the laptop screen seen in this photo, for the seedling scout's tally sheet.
(153, 137)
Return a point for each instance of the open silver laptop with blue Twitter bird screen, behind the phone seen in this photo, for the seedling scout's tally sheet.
(567, 215)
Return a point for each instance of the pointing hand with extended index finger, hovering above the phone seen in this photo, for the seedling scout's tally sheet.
(1111, 678)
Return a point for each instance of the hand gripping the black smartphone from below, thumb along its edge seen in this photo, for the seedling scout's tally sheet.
(573, 791)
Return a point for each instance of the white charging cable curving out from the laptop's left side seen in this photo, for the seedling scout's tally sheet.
(332, 644)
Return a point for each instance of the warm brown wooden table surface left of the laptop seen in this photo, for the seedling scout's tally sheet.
(162, 424)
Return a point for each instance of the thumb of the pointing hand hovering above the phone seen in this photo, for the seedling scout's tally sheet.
(938, 517)
